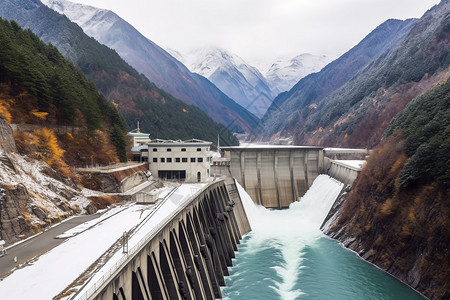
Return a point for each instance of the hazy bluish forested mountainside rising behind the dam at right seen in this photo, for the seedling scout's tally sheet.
(357, 113)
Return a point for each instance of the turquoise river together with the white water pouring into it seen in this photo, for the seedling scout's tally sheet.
(286, 256)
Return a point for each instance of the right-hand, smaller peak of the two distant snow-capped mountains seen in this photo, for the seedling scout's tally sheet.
(285, 72)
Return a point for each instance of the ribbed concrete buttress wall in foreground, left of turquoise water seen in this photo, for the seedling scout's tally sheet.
(188, 257)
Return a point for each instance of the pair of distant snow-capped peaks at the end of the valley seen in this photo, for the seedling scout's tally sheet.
(244, 82)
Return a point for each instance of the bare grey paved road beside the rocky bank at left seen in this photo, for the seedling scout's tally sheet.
(39, 244)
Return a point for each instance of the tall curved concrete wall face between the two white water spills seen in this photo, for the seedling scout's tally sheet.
(274, 176)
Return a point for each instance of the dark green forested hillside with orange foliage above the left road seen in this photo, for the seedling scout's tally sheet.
(40, 87)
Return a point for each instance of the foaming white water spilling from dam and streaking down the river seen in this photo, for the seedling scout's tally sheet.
(290, 230)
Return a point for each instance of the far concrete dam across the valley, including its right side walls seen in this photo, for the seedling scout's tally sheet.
(275, 176)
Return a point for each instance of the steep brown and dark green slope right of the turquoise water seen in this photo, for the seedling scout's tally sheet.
(397, 215)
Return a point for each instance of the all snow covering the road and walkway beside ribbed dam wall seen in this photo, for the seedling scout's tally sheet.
(54, 271)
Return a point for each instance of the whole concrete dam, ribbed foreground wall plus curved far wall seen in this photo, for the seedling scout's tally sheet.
(187, 255)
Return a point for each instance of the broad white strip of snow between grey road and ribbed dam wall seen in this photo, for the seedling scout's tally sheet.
(63, 264)
